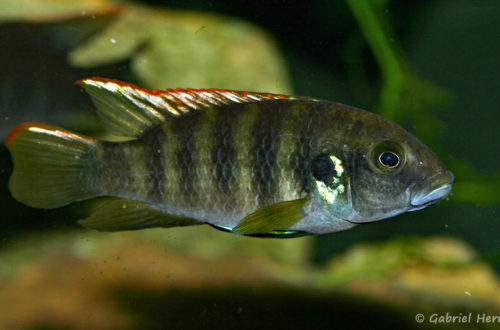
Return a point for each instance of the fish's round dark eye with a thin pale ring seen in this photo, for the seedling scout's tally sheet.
(387, 157)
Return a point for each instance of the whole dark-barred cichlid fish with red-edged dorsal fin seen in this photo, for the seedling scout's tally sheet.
(248, 163)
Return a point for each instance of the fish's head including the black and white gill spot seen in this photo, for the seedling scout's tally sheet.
(381, 171)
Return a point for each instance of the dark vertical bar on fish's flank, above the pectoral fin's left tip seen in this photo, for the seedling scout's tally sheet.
(223, 151)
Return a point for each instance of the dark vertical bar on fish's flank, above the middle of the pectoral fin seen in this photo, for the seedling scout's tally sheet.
(265, 134)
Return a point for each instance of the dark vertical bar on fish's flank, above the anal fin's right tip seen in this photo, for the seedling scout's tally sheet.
(185, 155)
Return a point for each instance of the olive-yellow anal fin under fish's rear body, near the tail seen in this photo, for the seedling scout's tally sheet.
(114, 214)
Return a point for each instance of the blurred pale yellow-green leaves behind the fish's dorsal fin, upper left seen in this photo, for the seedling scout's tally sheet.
(166, 48)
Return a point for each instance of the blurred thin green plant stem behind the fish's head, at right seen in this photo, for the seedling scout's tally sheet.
(405, 96)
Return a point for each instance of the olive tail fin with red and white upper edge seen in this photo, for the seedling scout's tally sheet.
(49, 164)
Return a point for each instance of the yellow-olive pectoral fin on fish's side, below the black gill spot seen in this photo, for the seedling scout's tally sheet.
(272, 218)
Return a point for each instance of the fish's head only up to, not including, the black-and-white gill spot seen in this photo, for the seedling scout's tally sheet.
(393, 172)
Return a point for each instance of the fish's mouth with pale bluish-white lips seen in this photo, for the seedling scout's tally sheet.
(431, 191)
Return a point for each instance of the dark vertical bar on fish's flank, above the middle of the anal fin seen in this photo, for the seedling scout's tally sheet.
(154, 157)
